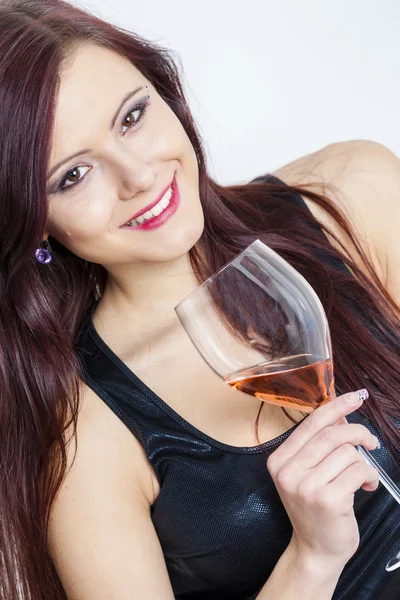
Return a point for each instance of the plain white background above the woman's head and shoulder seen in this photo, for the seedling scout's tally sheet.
(271, 80)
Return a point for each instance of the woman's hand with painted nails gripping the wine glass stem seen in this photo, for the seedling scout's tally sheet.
(316, 471)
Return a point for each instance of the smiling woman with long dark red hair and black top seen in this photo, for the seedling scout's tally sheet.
(108, 219)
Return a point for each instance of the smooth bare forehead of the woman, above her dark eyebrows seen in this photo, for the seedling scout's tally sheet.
(93, 80)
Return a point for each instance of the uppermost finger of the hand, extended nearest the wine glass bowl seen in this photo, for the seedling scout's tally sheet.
(328, 414)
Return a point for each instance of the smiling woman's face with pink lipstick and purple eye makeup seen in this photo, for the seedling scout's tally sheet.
(128, 188)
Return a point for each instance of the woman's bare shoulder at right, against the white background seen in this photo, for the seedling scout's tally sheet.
(363, 179)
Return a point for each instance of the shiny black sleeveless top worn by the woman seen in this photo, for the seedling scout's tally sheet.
(218, 516)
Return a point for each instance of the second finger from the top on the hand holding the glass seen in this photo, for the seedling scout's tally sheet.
(329, 439)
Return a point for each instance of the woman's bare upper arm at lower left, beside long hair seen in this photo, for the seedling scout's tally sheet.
(101, 536)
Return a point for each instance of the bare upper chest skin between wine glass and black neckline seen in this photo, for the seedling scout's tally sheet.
(172, 368)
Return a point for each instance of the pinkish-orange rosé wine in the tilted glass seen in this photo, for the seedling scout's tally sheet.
(294, 382)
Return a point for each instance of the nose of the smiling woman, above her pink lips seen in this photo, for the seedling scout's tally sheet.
(133, 174)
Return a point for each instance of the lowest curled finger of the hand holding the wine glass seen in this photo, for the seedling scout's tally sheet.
(357, 475)
